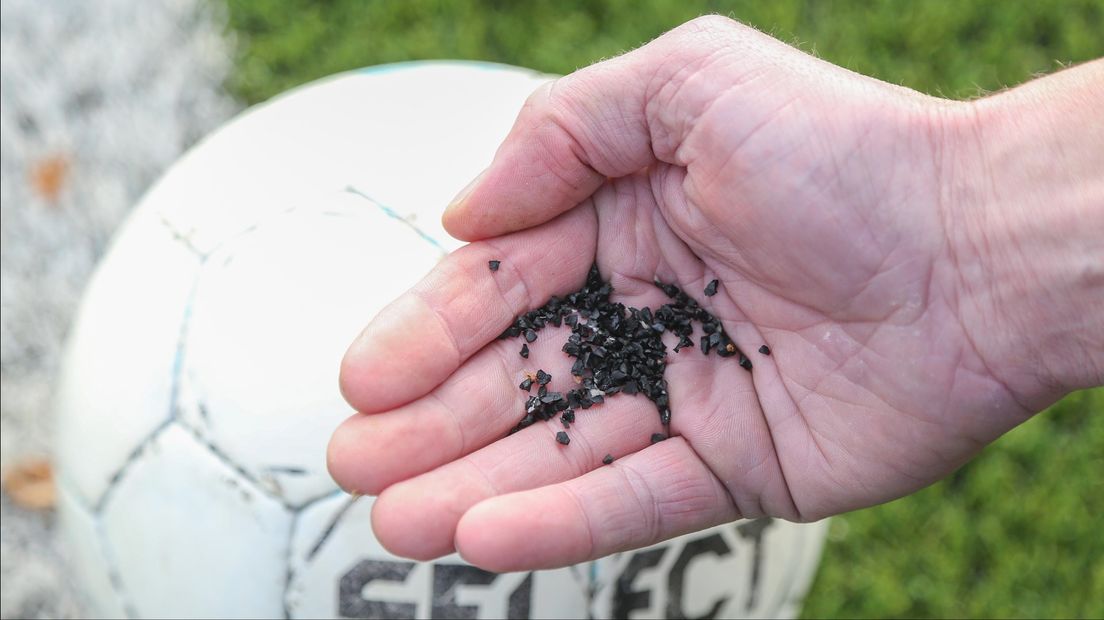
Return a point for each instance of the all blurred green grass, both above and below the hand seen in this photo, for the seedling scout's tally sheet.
(1015, 533)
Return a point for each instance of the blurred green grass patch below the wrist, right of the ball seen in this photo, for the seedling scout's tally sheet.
(1014, 533)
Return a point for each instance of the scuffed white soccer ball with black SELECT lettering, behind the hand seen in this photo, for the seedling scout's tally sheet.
(200, 383)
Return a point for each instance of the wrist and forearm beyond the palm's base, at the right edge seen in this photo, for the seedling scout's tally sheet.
(1026, 230)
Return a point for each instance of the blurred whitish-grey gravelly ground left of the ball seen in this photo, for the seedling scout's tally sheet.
(97, 100)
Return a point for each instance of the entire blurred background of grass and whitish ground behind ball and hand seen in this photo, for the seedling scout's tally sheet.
(100, 98)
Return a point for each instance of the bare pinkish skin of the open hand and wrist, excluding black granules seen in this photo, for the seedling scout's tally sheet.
(925, 272)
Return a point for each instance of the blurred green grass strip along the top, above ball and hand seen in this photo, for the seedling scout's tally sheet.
(939, 47)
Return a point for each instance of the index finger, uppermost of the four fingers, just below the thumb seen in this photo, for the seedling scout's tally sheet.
(419, 340)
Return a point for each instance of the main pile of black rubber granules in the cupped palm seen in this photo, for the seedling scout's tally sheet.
(618, 349)
